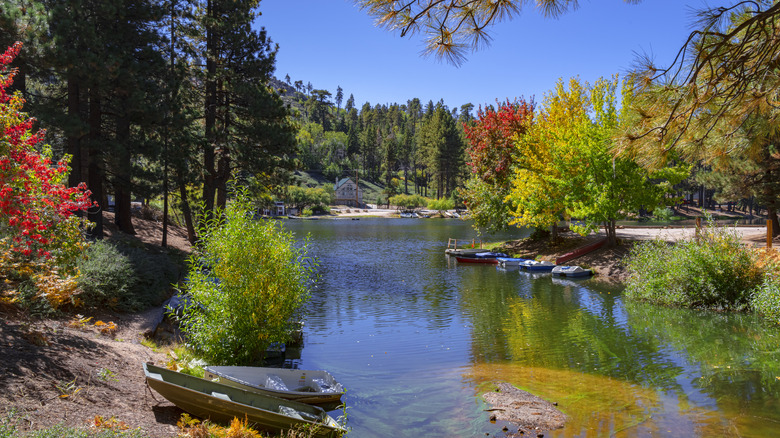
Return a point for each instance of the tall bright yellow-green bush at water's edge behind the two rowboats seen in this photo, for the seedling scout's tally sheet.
(248, 282)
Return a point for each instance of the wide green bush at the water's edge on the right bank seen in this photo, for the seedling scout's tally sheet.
(715, 271)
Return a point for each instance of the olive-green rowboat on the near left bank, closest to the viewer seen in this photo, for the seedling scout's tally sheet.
(219, 402)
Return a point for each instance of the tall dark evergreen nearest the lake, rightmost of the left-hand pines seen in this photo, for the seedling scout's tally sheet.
(246, 124)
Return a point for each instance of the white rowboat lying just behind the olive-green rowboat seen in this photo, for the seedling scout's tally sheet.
(314, 387)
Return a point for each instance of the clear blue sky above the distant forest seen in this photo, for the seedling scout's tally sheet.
(332, 42)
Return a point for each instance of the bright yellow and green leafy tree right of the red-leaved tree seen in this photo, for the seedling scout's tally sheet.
(565, 165)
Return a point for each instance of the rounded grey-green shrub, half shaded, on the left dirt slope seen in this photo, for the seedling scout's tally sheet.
(124, 278)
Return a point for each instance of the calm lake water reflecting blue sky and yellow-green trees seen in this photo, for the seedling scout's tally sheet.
(416, 338)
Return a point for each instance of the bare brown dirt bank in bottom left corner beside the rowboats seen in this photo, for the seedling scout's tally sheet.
(62, 371)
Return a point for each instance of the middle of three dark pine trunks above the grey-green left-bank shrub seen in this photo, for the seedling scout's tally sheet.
(95, 179)
